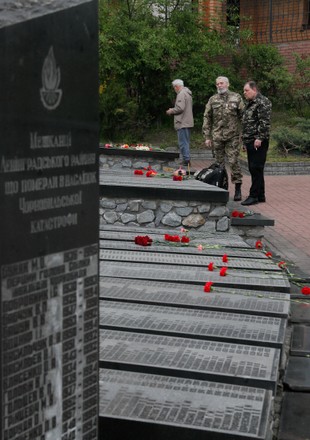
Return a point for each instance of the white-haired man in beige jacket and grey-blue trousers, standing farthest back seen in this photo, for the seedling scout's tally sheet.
(183, 118)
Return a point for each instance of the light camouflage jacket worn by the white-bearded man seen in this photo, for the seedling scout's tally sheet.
(222, 117)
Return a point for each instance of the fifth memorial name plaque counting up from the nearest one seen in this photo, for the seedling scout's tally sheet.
(236, 278)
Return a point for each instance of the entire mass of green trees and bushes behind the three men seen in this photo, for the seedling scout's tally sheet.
(141, 52)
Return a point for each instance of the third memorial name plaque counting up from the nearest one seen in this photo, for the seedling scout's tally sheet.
(201, 324)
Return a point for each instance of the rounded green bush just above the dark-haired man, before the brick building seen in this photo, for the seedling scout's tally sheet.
(264, 64)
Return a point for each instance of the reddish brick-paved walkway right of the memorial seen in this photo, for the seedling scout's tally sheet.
(288, 203)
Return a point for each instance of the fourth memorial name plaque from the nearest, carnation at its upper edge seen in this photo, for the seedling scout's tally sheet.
(192, 296)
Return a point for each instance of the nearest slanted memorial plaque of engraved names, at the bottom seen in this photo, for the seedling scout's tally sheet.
(136, 405)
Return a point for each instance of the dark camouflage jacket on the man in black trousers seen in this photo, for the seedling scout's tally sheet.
(256, 119)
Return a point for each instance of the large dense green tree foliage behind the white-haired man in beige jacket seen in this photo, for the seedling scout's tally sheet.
(141, 53)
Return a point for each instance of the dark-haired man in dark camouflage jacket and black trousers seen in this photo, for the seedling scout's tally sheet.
(255, 136)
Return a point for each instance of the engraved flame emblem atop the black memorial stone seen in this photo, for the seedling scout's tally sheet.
(50, 93)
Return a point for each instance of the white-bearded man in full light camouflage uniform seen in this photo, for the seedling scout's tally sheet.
(222, 129)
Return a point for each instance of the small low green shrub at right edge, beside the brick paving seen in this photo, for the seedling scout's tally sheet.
(295, 138)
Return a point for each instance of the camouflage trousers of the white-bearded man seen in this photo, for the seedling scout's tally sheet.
(229, 150)
